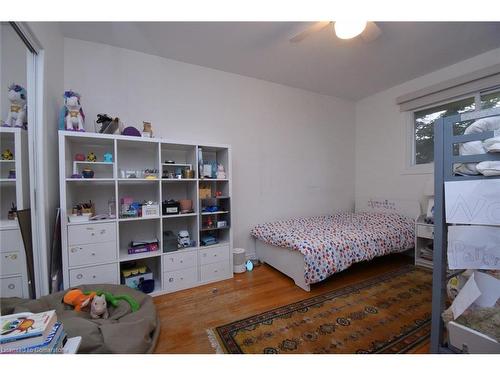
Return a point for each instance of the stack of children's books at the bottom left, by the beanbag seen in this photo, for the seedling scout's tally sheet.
(32, 333)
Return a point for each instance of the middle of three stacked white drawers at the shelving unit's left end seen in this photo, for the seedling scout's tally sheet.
(80, 255)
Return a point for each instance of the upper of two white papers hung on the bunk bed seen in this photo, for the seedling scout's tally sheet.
(473, 202)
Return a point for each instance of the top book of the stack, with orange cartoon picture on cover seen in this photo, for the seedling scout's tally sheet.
(26, 329)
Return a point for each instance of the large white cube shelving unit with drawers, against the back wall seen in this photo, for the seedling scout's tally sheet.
(96, 251)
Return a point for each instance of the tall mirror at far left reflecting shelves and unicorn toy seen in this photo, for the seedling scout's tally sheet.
(17, 278)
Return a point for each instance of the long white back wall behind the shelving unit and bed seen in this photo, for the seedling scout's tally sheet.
(293, 150)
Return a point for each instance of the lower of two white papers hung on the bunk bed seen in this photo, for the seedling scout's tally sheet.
(473, 247)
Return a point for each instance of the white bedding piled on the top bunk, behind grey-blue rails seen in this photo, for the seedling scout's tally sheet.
(487, 168)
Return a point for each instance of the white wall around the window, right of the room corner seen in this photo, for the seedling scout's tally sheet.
(381, 135)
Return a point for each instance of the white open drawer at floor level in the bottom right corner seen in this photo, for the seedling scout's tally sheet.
(471, 341)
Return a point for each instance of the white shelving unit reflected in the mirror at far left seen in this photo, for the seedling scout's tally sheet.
(13, 271)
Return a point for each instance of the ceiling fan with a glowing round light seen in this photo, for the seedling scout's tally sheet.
(368, 31)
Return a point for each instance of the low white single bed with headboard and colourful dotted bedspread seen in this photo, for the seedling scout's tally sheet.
(309, 250)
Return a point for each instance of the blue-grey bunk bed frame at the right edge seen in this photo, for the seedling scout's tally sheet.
(445, 158)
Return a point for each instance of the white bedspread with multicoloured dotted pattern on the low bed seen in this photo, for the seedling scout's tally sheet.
(331, 244)
